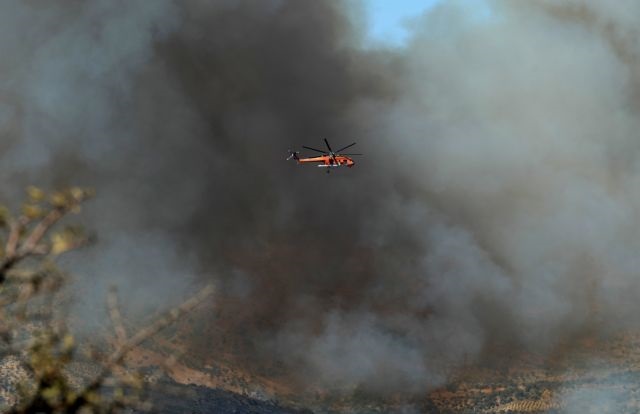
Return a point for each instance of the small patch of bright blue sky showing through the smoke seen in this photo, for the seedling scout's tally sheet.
(385, 18)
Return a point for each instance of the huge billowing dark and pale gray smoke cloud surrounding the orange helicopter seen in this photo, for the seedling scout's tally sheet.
(496, 201)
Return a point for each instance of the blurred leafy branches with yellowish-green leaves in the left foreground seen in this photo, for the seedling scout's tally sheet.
(41, 359)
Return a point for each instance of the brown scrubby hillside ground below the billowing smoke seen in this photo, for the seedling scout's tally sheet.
(221, 372)
